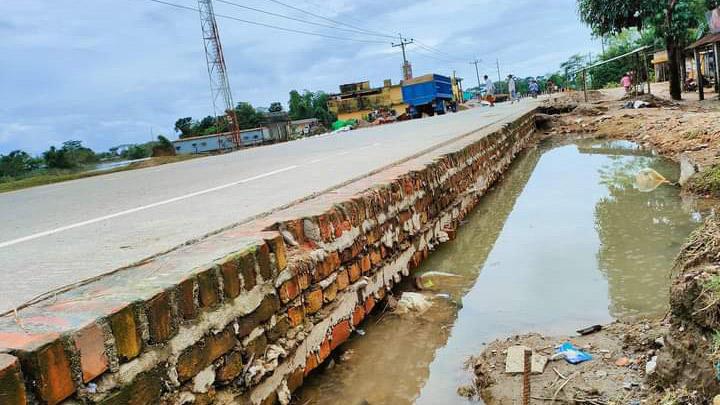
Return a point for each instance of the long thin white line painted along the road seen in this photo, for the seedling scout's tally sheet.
(142, 208)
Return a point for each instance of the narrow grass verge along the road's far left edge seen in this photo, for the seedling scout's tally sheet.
(58, 177)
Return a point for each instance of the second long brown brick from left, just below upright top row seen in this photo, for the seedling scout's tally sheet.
(199, 356)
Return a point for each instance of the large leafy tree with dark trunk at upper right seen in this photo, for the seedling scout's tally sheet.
(672, 20)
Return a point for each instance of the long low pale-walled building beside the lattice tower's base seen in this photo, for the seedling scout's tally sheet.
(219, 142)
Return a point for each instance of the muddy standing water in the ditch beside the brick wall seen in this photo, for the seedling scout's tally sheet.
(564, 241)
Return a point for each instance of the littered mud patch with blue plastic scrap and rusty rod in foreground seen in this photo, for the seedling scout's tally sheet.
(600, 365)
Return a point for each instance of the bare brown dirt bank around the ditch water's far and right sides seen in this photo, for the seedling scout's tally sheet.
(671, 361)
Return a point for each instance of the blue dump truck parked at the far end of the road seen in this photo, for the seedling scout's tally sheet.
(429, 94)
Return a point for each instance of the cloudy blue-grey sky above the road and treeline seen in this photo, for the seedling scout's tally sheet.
(111, 72)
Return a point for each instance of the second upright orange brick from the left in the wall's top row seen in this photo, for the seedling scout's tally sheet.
(49, 369)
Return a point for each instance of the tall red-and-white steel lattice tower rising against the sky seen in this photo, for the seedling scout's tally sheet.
(217, 70)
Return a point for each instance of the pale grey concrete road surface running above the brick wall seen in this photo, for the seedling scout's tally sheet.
(59, 234)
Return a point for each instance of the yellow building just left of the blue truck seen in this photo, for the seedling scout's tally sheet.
(359, 100)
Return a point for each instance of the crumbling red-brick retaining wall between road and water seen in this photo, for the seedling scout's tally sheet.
(249, 312)
